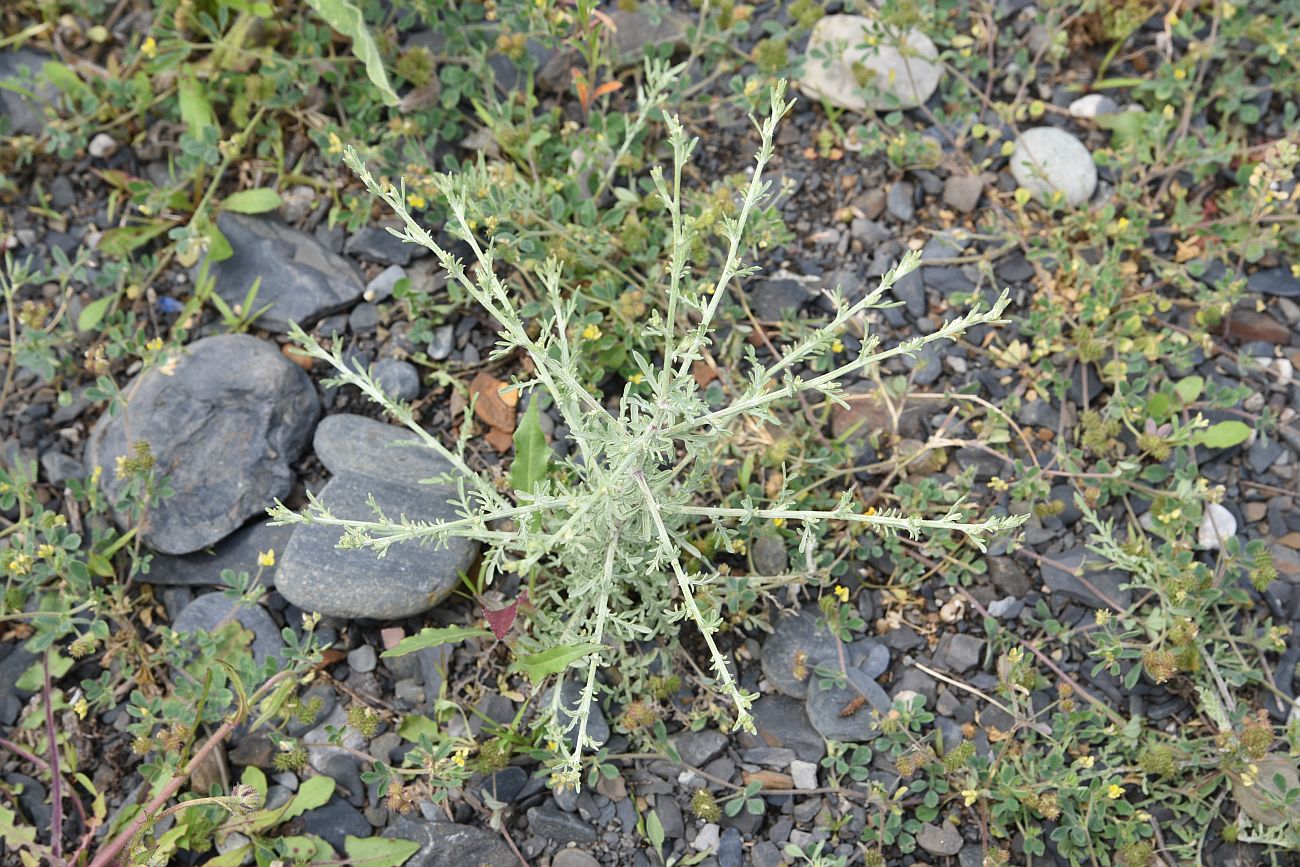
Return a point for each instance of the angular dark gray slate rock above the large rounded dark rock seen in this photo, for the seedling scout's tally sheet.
(301, 279)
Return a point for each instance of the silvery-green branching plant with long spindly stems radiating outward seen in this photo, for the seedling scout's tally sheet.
(604, 541)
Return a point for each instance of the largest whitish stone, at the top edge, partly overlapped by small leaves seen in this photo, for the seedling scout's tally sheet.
(838, 46)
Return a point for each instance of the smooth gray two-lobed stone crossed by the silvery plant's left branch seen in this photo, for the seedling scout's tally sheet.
(374, 459)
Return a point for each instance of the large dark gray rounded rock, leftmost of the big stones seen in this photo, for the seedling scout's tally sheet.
(224, 426)
